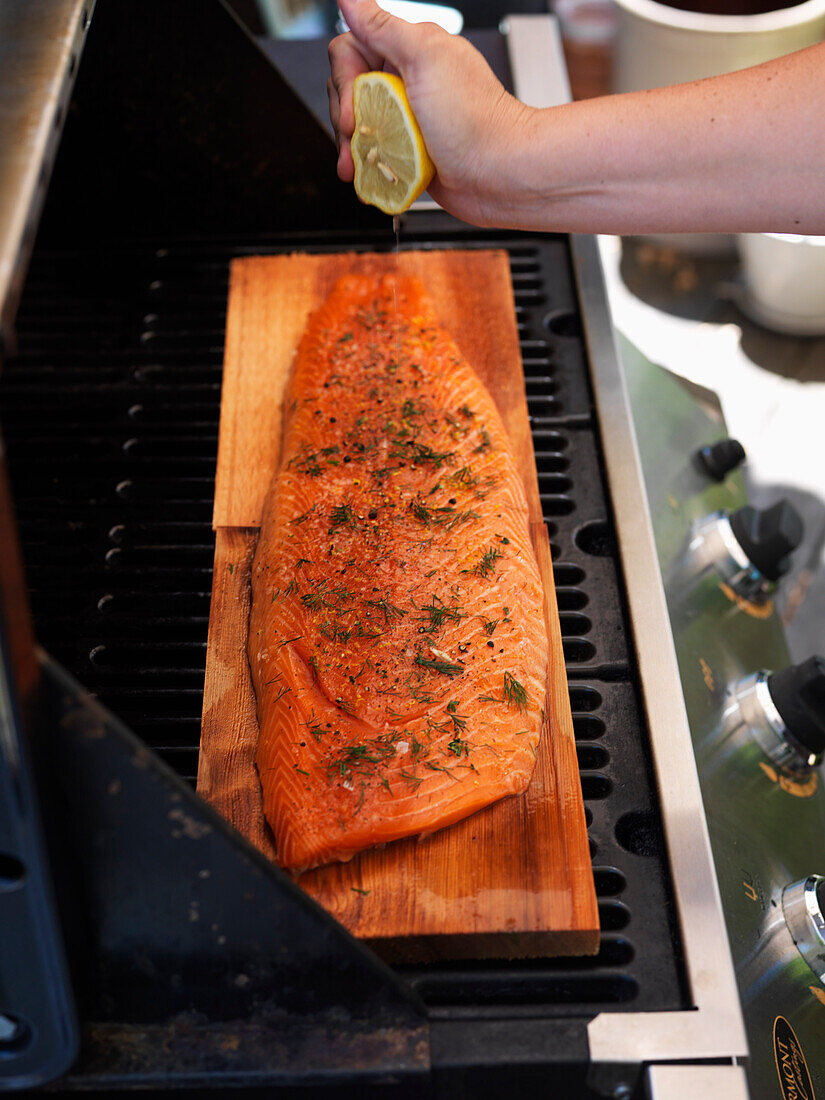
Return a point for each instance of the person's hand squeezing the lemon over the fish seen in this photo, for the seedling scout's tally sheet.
(469, 123)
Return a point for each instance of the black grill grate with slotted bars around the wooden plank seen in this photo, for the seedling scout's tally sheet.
(111, 415)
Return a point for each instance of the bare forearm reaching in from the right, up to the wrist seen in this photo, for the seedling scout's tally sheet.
(738, 153)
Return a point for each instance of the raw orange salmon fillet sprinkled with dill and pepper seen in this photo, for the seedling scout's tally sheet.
(398, 641)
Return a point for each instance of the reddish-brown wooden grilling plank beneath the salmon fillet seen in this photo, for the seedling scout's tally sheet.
(514, 879)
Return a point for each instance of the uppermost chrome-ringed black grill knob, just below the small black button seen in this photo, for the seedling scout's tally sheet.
(747, 549)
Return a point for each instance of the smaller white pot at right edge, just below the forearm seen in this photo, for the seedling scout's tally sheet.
(785, 282)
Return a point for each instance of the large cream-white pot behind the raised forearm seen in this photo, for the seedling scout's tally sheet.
(657, 46)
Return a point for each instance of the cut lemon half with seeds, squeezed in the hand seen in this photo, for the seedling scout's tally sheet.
(392, 163)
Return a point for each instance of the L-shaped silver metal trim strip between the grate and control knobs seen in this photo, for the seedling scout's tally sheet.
(716, 1030)
